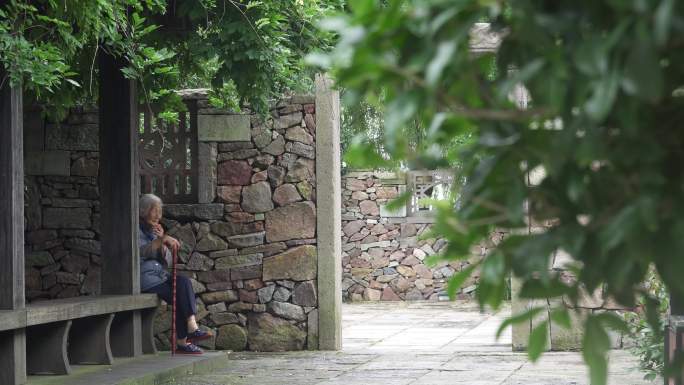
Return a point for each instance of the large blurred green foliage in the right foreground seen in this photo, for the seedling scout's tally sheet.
(604, 128)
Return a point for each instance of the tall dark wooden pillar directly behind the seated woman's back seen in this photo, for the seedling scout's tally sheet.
(118, 198)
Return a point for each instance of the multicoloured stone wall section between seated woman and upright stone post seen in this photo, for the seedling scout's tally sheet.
(251, 253)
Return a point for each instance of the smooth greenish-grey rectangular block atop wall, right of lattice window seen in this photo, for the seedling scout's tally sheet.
(223, 128)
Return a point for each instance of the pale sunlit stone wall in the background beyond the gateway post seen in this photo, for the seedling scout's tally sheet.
(384, 252)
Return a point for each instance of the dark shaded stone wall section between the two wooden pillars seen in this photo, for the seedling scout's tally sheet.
(62, 206)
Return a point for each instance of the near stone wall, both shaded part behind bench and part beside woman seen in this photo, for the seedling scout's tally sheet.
(249, 243)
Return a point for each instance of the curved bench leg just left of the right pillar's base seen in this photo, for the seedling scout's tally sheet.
(89, 342)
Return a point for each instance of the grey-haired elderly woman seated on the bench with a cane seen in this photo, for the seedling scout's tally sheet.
(155, 255)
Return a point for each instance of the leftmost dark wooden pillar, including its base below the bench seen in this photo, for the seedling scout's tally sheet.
(12, 343)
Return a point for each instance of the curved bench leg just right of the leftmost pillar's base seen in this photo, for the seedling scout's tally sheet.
(46, 348)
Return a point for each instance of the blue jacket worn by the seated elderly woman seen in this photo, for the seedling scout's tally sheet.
(152, 265)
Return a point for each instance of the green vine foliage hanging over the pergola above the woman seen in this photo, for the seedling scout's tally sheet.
(246, 51)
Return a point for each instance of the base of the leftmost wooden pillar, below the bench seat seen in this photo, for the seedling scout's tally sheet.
(13, 357)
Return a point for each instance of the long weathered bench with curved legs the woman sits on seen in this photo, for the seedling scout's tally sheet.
(80, 330)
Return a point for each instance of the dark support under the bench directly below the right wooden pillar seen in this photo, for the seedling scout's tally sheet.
(125, 334)
